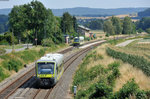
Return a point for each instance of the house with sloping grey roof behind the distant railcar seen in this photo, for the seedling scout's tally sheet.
(84, 31)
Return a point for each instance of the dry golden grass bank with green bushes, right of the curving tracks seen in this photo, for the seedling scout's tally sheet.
(101, 76)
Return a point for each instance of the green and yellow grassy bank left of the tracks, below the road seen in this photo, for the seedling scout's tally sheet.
(13, 62)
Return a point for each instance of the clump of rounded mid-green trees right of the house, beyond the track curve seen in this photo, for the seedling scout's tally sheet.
(115, 25)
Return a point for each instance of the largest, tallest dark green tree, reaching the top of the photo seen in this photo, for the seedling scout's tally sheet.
(28, 17)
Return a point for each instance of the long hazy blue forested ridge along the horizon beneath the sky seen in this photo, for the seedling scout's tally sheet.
(85, 11)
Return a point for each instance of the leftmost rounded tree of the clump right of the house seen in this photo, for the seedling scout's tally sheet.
(108, 27)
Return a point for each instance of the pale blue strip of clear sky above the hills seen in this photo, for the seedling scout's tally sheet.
(80, 3)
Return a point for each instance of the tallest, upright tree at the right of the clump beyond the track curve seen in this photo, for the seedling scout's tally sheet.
(127, 26)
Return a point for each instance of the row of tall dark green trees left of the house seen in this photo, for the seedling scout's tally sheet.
(34, 23)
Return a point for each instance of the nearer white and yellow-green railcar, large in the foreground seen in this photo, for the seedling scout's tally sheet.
(49, 69)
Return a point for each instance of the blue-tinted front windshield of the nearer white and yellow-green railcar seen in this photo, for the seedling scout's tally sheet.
(46, 68)
